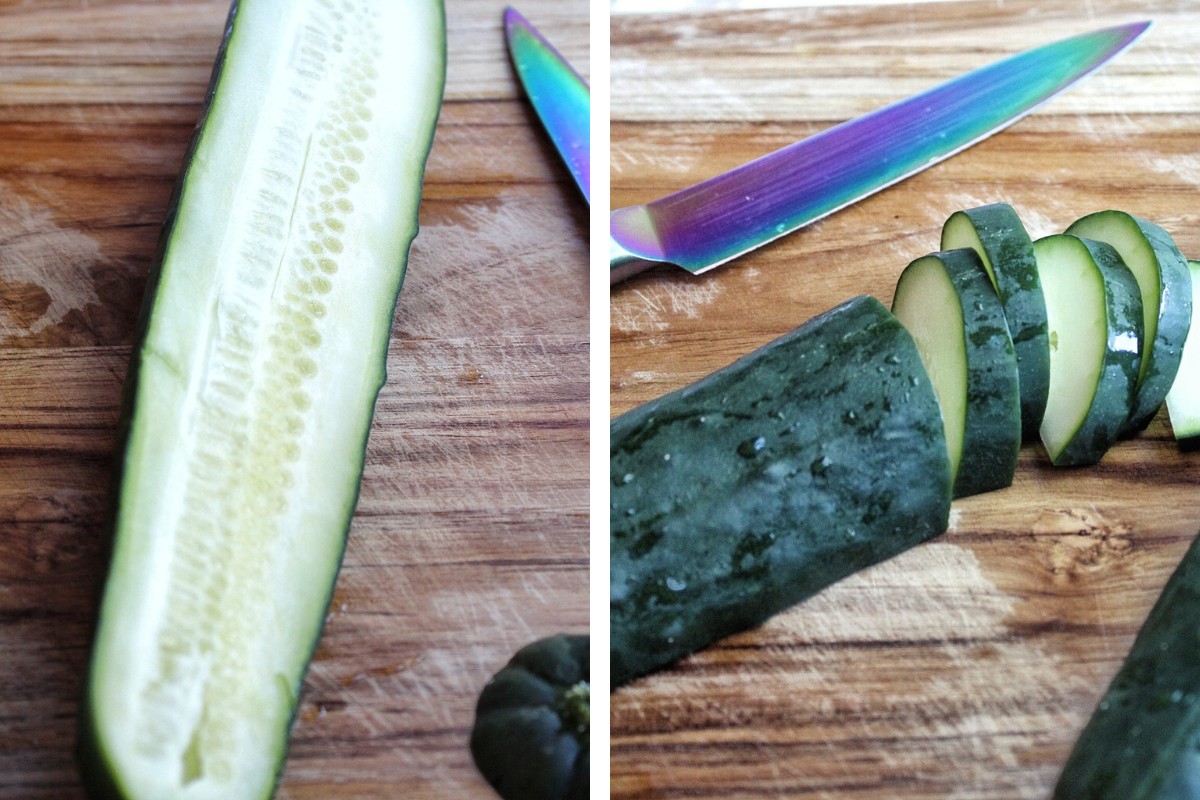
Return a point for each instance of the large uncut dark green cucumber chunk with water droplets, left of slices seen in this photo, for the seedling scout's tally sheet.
(813, 458)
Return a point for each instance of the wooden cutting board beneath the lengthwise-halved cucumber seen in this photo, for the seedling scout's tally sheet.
(471, 534)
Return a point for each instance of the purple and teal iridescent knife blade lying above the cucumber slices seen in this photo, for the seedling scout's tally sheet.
(712, 222)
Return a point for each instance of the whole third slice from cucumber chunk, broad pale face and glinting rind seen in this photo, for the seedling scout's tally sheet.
(1094, 310)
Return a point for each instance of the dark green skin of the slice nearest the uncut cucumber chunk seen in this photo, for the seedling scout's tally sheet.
(992, 436)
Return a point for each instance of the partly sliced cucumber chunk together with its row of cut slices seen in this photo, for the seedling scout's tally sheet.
(844, 442)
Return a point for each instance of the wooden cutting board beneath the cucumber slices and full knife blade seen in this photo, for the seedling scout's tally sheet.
(965, 669)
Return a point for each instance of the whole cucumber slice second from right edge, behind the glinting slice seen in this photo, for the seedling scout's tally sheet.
(1166, 287)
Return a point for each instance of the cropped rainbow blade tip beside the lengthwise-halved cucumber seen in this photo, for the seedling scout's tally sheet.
(557, 93)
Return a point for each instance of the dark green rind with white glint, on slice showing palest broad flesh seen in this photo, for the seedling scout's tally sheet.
(1119, 381)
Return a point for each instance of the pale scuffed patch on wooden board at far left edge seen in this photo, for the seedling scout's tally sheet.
(37, 252)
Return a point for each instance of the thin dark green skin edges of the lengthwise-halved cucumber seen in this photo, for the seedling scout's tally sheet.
(99, 778)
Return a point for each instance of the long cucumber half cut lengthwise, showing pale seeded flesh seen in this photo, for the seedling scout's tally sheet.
(251, 392)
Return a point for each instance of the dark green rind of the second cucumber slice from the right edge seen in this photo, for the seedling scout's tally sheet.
(1174, 318)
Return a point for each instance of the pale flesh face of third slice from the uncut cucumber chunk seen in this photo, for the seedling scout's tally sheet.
(1078, 326)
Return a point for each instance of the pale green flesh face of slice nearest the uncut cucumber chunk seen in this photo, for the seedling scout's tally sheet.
(929, 308)
